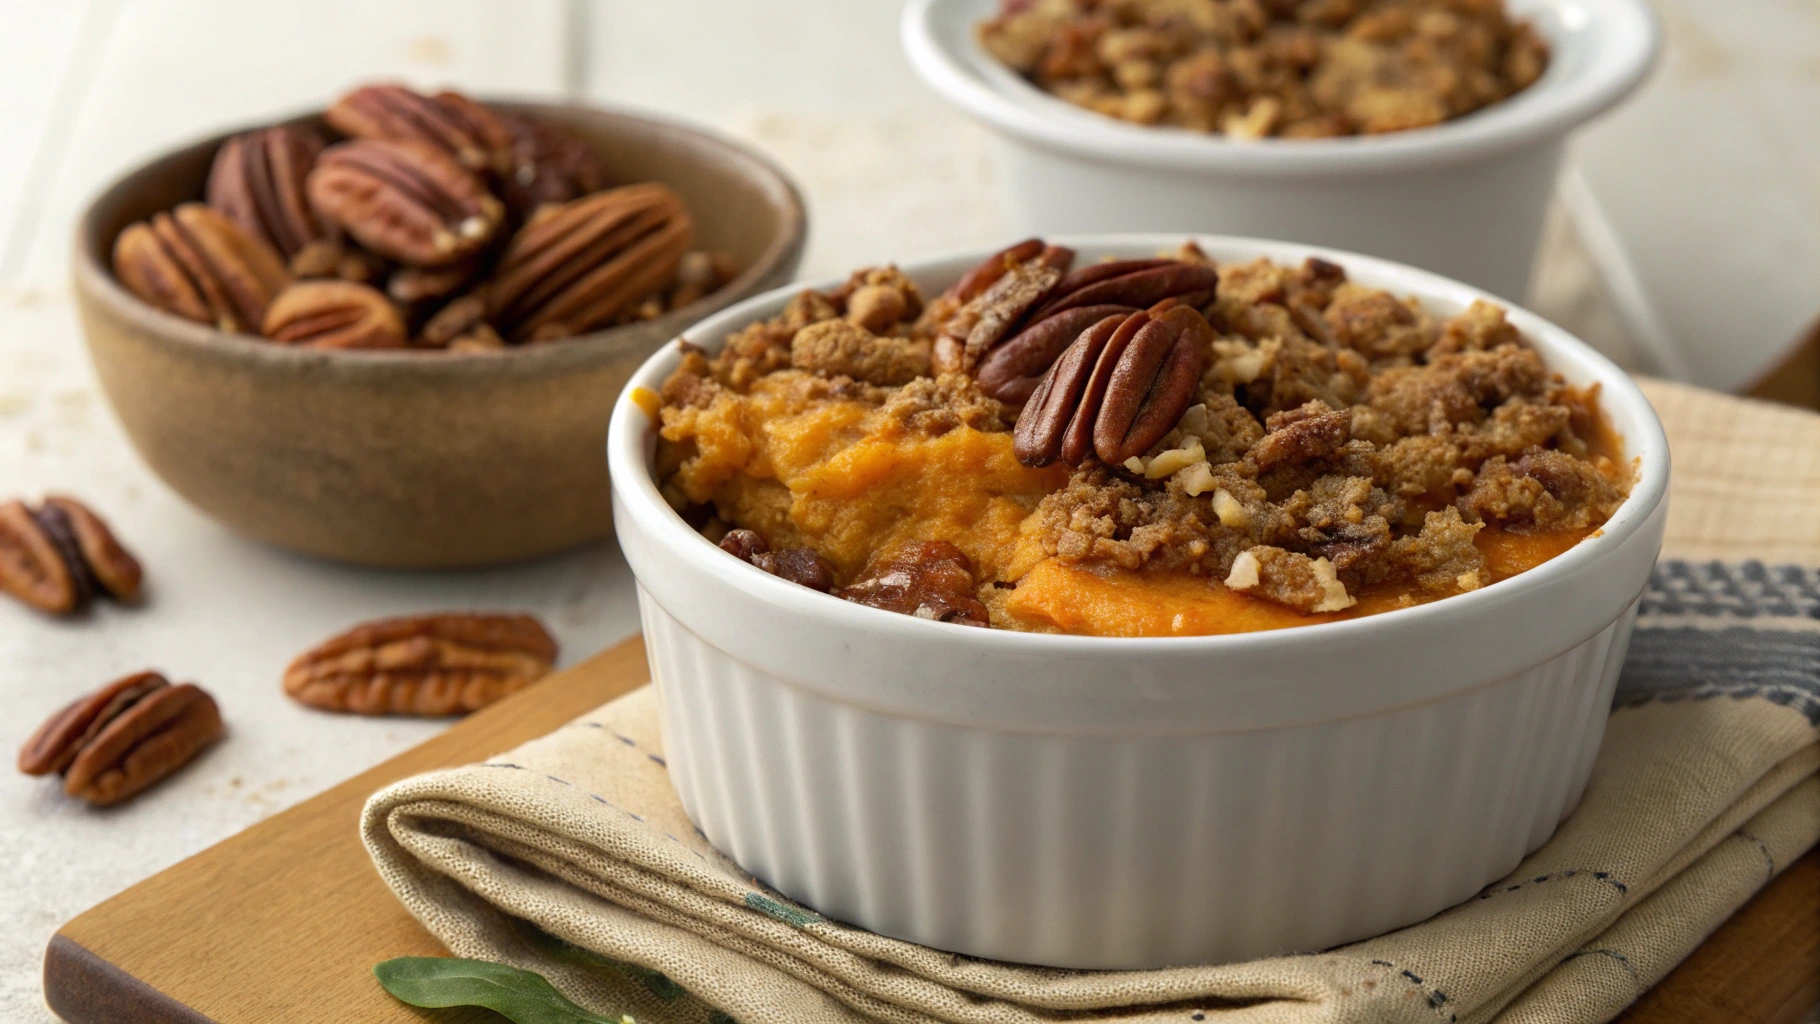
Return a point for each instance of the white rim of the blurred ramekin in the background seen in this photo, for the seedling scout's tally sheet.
(1623, 39)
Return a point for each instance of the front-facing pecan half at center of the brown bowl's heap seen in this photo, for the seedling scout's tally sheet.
(407, 201)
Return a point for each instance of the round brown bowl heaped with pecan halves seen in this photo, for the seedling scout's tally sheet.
(390, 334)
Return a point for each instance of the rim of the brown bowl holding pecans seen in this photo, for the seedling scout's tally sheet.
(92, 272)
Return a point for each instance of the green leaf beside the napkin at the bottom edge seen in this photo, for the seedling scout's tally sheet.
(523, 998)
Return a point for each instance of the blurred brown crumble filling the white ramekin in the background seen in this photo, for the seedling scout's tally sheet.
(1271, 68)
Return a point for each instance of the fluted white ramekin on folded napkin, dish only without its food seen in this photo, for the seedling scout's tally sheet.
(1098, 803)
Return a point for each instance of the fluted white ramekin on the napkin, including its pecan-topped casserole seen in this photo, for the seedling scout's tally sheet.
(924, 683)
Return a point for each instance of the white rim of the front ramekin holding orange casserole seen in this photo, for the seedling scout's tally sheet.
(636, 492)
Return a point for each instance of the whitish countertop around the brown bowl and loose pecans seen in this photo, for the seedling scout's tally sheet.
(92, 86)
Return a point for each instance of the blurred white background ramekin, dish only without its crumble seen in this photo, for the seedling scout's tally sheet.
(1464, 199)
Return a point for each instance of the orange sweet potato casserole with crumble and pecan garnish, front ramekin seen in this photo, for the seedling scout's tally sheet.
(1135, 448)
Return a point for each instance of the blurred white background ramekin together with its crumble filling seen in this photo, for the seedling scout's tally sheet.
(1426, 132)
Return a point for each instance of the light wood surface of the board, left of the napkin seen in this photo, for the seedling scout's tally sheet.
(285, 921)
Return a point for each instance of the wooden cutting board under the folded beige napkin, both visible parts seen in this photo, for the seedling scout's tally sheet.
(283, 923)
